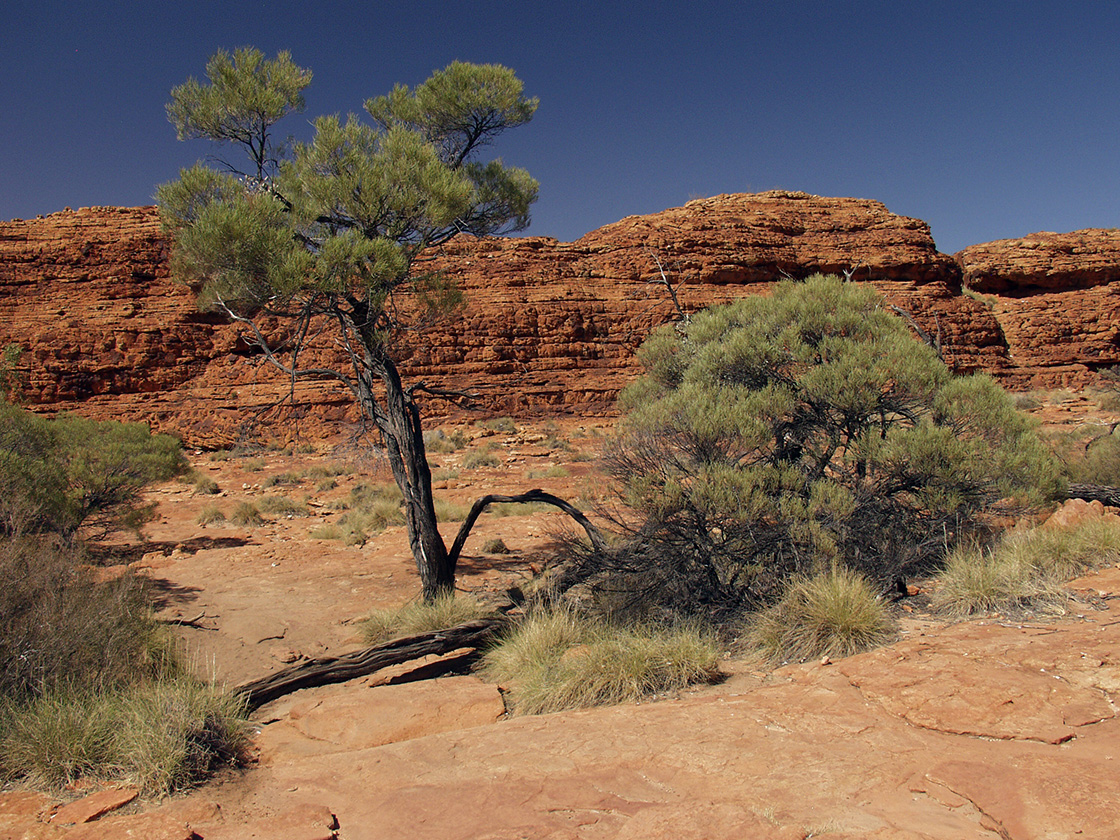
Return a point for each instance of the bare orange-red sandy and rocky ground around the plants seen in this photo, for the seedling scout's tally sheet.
(981, 730)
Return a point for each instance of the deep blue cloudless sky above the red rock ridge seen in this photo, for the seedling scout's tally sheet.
(986, 119)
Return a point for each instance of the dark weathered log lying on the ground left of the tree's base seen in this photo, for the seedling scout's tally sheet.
(330, 670)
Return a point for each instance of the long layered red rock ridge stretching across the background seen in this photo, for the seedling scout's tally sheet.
(549, 326)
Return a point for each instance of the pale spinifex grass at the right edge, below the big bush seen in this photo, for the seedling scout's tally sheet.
(1025, 571)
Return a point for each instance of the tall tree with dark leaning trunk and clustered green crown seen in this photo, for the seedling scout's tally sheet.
(329, 236)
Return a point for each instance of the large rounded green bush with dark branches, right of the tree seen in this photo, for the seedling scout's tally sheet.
(779, 435)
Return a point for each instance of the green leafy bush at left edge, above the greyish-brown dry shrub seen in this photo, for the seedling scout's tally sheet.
(70, 473)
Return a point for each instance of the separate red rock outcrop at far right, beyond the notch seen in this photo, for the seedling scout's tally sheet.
(1057, 298)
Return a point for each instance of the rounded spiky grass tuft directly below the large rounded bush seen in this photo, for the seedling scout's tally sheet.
(834, 614)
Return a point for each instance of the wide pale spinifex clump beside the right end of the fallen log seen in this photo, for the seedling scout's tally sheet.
(557, 660)
